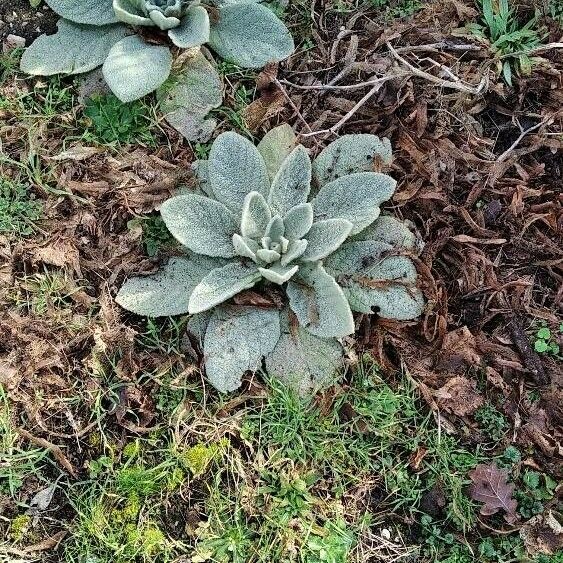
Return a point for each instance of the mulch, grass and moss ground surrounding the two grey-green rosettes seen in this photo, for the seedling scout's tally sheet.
(440, 438)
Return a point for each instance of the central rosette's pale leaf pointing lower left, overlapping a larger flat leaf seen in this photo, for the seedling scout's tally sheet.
(222, 284)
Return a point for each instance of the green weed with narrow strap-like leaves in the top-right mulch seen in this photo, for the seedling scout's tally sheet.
(509, 40)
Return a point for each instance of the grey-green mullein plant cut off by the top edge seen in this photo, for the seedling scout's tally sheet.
(133, 41)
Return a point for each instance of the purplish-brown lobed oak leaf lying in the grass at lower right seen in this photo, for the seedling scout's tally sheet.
(491, 487)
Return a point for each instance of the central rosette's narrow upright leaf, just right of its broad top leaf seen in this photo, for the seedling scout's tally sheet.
(292, 183)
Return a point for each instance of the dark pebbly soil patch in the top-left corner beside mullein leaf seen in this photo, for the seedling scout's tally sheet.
(18, 17)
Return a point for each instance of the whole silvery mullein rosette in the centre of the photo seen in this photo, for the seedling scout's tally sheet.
(268, 215)
